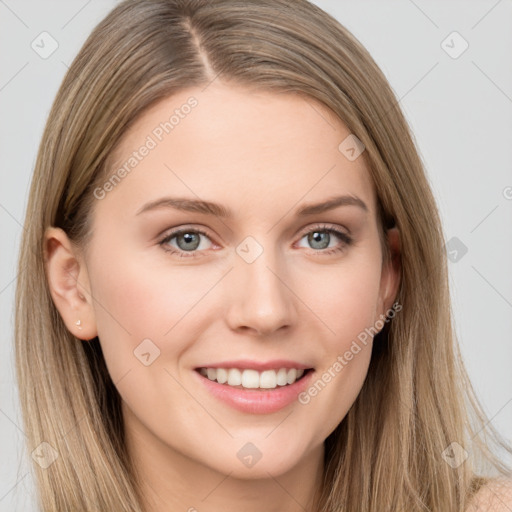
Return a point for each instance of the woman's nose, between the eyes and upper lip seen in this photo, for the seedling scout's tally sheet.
(262, 301)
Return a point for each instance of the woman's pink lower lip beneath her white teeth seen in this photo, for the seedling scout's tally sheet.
(257, 401)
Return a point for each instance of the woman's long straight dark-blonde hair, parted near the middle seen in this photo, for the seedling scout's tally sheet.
(387, 453)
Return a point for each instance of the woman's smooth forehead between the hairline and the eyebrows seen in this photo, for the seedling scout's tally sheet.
(238, 146)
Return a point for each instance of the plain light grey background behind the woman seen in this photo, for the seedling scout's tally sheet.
(460, 111)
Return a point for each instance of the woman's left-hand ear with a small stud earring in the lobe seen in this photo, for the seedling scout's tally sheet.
(68, 282)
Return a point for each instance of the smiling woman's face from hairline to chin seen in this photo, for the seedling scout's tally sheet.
(251, 283)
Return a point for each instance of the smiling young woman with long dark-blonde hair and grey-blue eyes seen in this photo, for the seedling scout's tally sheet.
(242, 282)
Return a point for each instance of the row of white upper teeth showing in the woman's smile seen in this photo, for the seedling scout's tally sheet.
(252, 379)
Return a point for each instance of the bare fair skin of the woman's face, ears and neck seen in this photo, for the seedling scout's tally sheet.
(263, 155)
